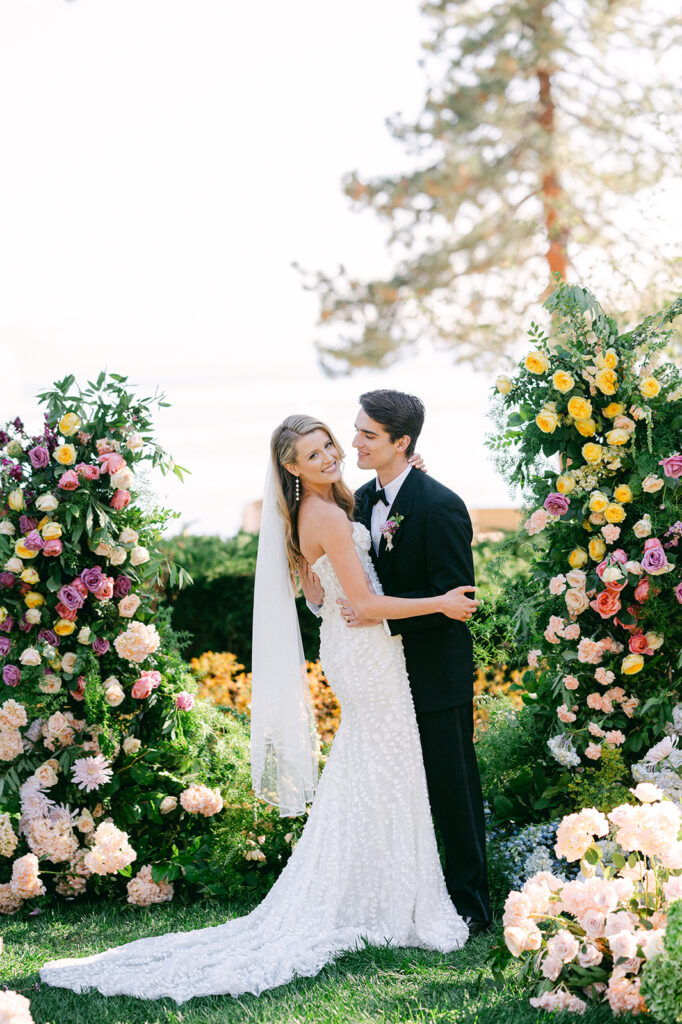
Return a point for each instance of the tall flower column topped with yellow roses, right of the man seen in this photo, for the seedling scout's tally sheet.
(590, 431)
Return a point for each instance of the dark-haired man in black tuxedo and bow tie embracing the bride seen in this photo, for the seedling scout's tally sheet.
(421, 546)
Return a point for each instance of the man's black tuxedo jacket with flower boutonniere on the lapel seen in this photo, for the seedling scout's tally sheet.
(432, 553)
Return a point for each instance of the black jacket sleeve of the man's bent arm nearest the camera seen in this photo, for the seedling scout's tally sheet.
(449, 561)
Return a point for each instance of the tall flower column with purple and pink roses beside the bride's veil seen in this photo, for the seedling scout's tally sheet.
(105, 755)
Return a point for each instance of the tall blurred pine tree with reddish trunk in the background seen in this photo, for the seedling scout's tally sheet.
(543, 120)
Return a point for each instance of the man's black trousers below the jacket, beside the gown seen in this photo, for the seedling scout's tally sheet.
(457, 805)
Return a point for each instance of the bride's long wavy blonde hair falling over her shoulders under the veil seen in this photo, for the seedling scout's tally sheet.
(283, 450)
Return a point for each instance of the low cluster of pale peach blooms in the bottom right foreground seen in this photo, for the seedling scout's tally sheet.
(593, 938)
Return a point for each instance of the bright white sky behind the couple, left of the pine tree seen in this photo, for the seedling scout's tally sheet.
(164, 162)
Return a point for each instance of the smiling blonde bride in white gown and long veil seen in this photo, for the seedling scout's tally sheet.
(367, 866)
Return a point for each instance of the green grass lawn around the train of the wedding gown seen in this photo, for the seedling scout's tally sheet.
(373, 986)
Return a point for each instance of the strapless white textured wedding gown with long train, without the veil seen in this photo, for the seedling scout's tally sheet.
(366, 868)
